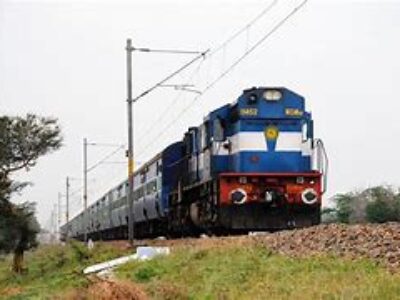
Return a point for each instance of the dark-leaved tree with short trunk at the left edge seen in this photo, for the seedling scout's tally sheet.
(22, 141)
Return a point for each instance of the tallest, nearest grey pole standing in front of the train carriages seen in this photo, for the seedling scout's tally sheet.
(129, 198)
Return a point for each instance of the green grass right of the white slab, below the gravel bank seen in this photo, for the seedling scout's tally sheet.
(255, 273)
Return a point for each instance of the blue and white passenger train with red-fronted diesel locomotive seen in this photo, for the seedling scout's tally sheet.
(251, 165)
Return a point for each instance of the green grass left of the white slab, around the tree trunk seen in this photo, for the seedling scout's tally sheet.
(52, 270)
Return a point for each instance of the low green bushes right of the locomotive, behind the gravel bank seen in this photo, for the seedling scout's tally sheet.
(377, 204)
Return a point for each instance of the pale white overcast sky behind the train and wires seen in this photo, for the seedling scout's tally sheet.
(66, 59)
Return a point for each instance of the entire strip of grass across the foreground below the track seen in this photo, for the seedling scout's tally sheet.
(230, 268)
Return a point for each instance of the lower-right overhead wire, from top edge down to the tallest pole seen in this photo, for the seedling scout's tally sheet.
(226, 72)
